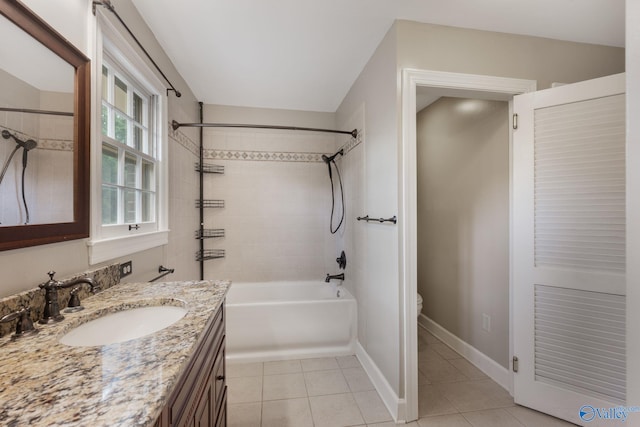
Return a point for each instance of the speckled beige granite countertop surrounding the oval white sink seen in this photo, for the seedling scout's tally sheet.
(45, 383)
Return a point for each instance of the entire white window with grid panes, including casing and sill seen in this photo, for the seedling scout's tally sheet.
(129, 150)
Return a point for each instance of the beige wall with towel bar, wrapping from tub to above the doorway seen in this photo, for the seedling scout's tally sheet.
(433, 47)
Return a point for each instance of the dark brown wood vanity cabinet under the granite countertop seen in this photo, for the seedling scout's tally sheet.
(200, 397)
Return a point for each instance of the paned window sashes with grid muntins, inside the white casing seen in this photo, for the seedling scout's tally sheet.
(129, 152)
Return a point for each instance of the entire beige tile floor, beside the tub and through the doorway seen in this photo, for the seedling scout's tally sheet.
(336, 392)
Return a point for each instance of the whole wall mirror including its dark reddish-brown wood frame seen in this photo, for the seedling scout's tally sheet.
(45, 122)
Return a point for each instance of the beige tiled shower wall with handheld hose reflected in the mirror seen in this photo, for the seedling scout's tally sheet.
(48, 180)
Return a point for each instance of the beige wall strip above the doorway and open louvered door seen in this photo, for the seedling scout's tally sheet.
(442, 48)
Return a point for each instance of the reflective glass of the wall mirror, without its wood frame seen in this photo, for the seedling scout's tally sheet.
(37, 131)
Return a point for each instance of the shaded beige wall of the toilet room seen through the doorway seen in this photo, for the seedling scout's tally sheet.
(463, 220)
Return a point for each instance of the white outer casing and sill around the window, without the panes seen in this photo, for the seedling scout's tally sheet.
(105, 244)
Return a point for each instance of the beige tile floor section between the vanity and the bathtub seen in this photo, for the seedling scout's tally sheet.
(326, 392)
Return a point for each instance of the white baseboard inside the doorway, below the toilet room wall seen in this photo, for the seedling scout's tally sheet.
(493, 370)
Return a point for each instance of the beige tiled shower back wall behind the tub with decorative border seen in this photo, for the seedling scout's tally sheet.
(277, 196)
